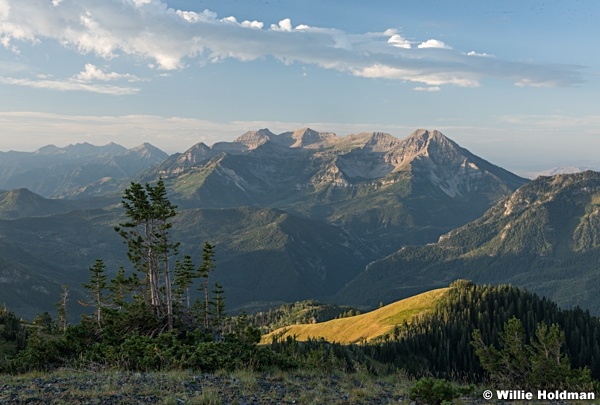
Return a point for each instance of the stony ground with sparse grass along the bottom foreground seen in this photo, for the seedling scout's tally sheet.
(186, 387)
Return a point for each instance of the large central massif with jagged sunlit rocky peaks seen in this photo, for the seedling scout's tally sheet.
(385, 191)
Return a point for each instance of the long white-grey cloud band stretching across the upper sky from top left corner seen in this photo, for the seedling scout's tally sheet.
(168, 39)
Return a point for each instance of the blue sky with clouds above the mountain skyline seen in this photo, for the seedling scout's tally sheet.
(515, 82)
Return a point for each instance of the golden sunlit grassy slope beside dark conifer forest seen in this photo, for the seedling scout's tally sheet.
(365, 326)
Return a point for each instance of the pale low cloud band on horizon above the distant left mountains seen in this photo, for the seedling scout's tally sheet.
(32, 130)
